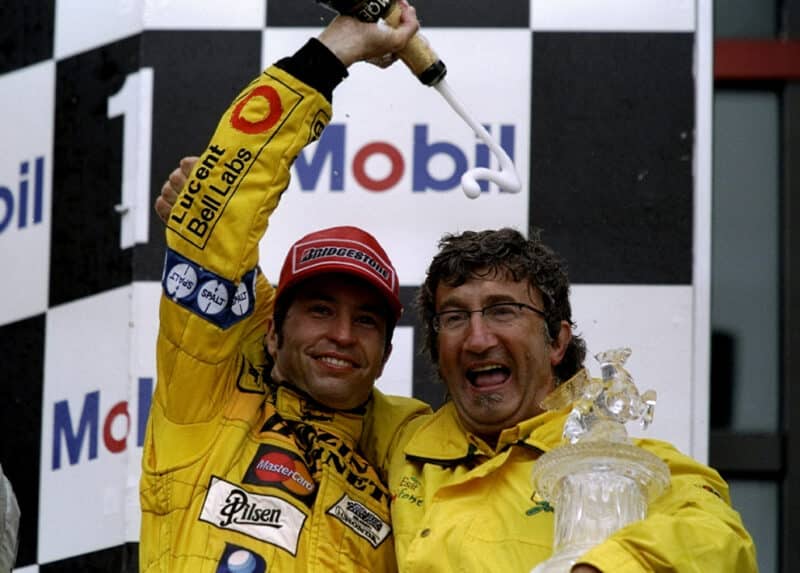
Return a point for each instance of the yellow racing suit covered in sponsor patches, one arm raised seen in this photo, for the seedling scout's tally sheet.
(240, 474)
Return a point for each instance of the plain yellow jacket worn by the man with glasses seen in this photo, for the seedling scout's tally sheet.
(461, 506)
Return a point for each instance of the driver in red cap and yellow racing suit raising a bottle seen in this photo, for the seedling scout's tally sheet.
(251, 461)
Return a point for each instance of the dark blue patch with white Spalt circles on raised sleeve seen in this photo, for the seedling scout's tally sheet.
(207, 294)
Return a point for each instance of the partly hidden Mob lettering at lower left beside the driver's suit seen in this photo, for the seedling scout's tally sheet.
(84, 428)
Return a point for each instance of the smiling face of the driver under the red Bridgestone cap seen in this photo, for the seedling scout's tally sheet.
(332, 344)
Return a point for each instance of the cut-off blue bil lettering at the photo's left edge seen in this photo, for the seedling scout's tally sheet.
(22, 202)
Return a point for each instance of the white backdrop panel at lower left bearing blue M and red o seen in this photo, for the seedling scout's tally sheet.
(89, 422)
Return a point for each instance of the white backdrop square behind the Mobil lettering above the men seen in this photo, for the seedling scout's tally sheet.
(387, 109)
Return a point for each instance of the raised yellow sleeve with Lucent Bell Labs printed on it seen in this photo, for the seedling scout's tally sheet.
(215, 302)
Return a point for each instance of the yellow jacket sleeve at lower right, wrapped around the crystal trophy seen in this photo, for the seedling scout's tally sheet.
(692, 527)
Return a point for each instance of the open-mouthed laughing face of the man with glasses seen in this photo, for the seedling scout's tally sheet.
(496, 374)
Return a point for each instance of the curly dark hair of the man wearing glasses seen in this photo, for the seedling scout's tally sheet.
(503, 252)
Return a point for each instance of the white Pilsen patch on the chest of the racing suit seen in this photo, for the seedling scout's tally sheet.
(268, 518)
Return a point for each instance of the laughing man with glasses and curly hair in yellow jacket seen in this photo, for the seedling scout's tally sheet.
(498, 325)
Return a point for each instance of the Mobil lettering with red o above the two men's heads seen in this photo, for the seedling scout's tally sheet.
(427, 156)
